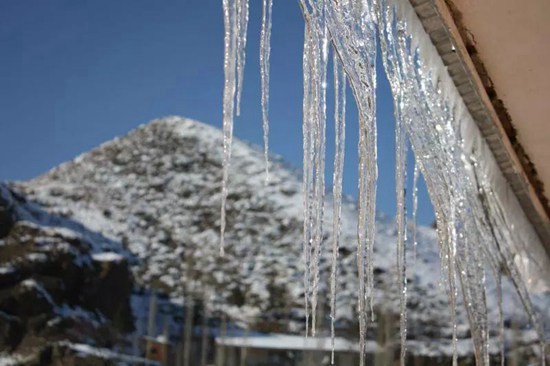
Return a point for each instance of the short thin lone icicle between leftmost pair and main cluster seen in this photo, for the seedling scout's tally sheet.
(265, 50)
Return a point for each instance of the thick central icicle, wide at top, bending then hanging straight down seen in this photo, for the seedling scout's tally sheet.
(352, 28)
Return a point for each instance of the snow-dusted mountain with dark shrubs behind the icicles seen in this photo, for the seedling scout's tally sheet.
(156, 192)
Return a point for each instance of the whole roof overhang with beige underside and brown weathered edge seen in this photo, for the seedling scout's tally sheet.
(495, 53)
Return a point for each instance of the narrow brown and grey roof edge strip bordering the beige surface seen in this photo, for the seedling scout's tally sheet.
(443, 25)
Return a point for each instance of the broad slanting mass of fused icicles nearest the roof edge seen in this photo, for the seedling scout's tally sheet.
(434, 126)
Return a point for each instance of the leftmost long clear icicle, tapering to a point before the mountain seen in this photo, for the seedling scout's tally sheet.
(230, 56)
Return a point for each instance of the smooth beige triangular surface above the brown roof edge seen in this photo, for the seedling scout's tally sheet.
(512, 38)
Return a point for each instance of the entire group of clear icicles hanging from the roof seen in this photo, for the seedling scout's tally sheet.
(473, 229)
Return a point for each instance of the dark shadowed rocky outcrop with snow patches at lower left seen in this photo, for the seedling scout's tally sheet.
(55, 283)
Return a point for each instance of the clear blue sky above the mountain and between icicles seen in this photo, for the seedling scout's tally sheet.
(74, 74)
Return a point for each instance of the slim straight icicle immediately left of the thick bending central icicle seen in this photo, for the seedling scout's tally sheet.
(339, 132)
